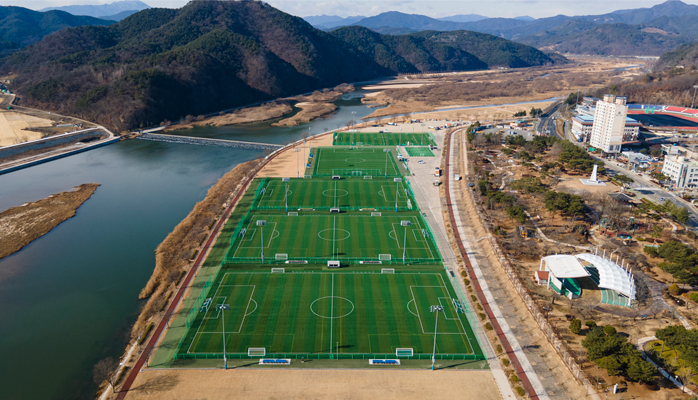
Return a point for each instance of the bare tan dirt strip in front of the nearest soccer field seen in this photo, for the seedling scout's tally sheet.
(313, 384)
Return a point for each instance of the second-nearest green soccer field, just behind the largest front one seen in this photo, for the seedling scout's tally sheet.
(319, 238)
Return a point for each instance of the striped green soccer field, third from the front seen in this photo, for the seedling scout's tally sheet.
(323, 194)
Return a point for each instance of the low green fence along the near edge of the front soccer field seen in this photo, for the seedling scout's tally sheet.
(328, 356)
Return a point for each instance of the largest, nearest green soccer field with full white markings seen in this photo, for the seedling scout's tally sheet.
(320, 314)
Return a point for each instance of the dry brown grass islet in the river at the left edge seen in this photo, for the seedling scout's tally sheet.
(19, 226)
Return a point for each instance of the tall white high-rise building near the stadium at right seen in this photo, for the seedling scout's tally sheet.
(609, 123)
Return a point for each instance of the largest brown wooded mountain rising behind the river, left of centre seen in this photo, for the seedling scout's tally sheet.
(163, 64)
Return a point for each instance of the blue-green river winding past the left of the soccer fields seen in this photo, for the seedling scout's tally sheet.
(68, 299)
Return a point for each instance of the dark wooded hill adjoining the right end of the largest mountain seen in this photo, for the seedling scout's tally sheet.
(407, 53)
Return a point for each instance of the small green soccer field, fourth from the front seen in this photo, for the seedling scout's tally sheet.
(330, 161)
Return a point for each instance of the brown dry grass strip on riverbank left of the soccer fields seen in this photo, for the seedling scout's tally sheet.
(173, 254)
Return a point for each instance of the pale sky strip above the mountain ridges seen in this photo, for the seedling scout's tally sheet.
(432, 8)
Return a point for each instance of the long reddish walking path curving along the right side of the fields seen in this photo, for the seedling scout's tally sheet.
(478, 290)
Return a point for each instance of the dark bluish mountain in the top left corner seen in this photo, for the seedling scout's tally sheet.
(21, 27)
